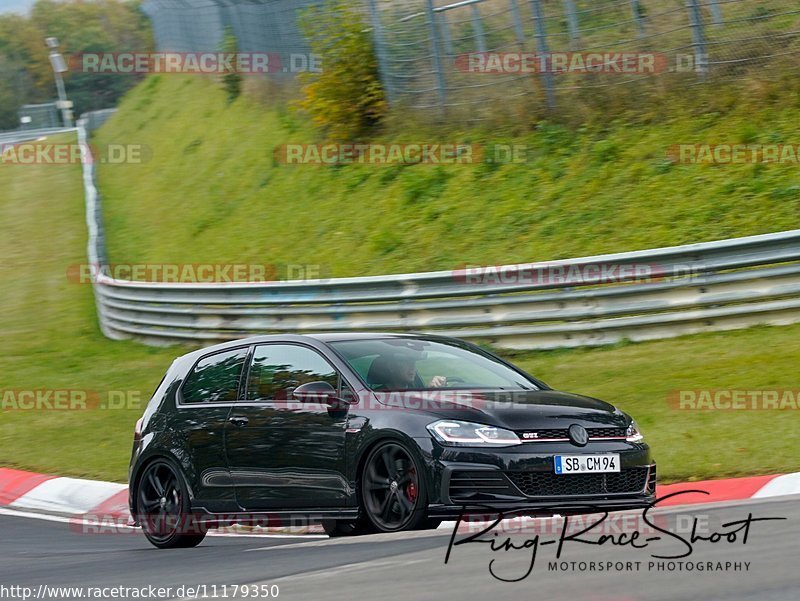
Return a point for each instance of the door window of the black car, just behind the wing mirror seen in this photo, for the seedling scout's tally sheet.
(277, 369)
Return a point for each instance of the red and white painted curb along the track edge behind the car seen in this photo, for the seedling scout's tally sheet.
(94, 500)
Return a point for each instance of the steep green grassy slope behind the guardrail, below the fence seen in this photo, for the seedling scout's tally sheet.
(213, 192)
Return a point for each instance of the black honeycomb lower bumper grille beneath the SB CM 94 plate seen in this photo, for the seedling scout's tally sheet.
(546, 484)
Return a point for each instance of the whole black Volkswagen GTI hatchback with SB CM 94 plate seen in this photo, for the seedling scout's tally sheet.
(371, 433)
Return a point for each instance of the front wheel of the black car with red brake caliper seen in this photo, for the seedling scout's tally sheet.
(394, 496)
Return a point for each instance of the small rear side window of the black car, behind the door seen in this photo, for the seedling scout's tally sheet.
(215, 378)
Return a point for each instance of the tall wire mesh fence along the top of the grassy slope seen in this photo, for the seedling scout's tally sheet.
(457, 56)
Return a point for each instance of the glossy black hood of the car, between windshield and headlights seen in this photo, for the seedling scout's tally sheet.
(518, 410)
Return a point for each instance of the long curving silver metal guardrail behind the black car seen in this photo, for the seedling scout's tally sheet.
(640, 295)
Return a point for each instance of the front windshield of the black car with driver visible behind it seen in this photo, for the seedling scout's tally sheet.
(417, 364)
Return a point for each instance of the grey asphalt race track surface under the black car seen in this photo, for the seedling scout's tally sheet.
(411, 566)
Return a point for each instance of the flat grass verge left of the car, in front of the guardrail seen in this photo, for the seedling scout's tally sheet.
(51, 338)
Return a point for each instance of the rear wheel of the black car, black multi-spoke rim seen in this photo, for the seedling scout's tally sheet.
(163, 508)
